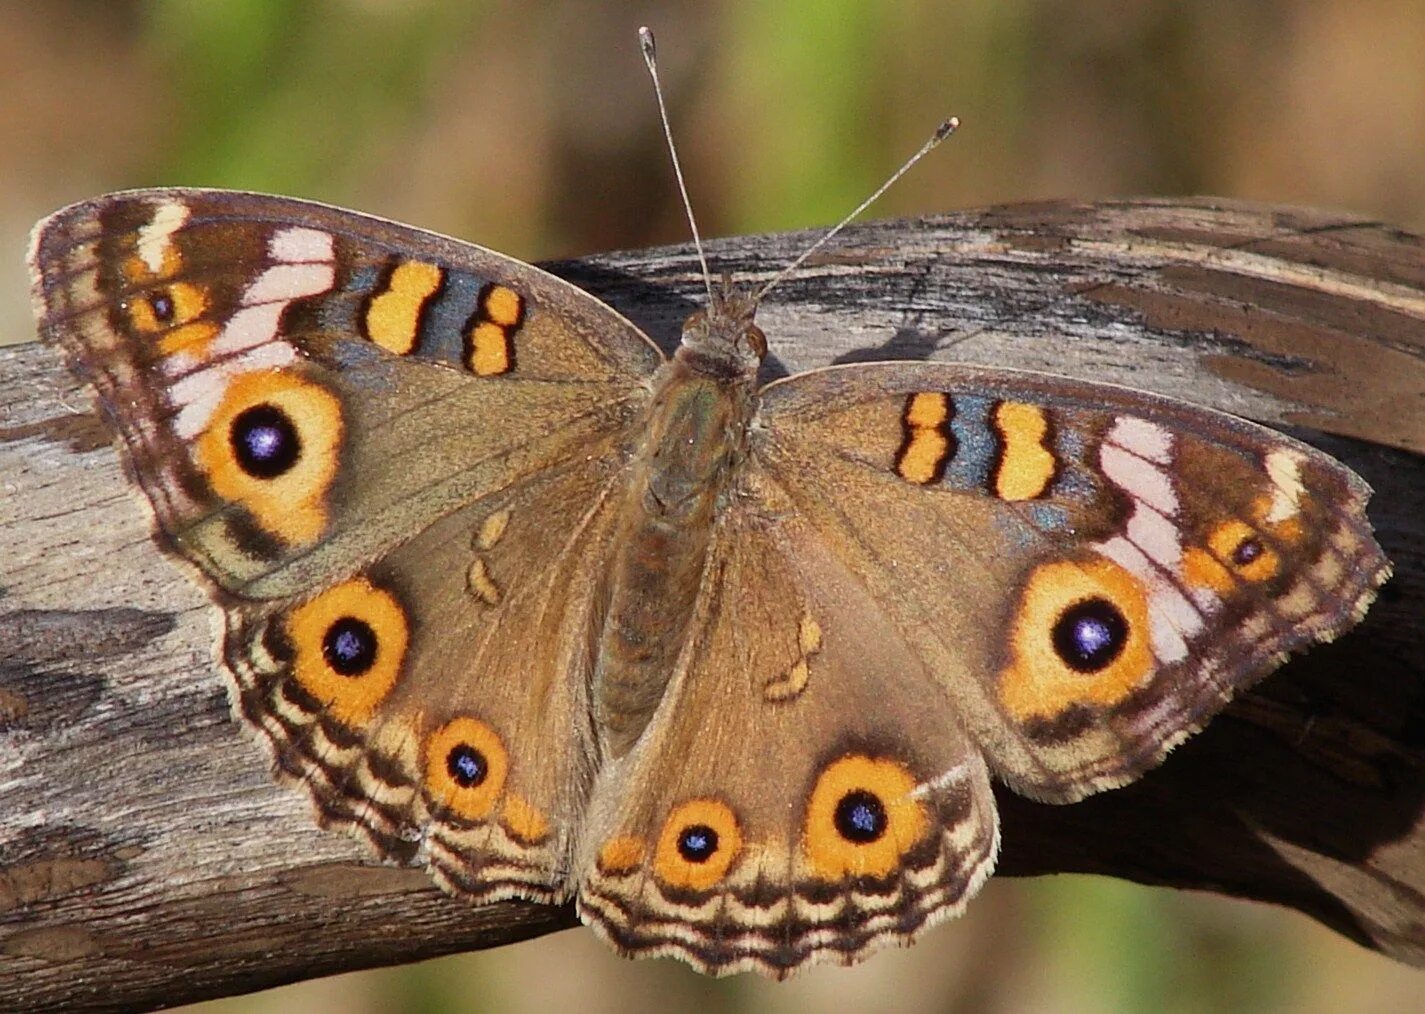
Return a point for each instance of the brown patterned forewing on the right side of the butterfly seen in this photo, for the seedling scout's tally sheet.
(1092, 572)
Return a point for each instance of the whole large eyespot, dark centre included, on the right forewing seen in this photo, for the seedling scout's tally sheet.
(1079, 636)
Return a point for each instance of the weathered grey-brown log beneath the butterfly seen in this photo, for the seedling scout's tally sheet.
(149, 859)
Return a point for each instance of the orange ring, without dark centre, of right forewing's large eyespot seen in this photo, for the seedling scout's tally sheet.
(1038, 683)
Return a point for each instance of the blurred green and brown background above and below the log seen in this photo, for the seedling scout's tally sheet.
(529, 127)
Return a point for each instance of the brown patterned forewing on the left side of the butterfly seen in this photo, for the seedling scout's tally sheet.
(300, 388)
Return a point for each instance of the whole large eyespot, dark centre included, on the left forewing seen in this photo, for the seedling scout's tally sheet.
(273, 449)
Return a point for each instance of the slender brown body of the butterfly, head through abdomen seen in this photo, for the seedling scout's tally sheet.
(695, 441)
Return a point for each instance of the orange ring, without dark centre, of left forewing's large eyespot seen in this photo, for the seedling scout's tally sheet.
(291, 506)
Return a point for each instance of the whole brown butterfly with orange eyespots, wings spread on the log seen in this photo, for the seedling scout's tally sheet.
(732, 666)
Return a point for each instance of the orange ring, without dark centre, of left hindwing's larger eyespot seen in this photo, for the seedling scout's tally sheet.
(348, 699)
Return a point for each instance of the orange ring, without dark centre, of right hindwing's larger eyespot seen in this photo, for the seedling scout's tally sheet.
(833, 857)
